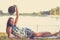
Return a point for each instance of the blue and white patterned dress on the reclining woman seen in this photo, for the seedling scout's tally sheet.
(22, 32)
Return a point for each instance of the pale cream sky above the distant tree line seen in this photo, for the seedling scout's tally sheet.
(29, 6)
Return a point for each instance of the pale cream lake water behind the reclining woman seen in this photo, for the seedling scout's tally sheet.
(36, 23)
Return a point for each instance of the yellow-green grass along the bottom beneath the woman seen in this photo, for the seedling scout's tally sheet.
(3, 36)
